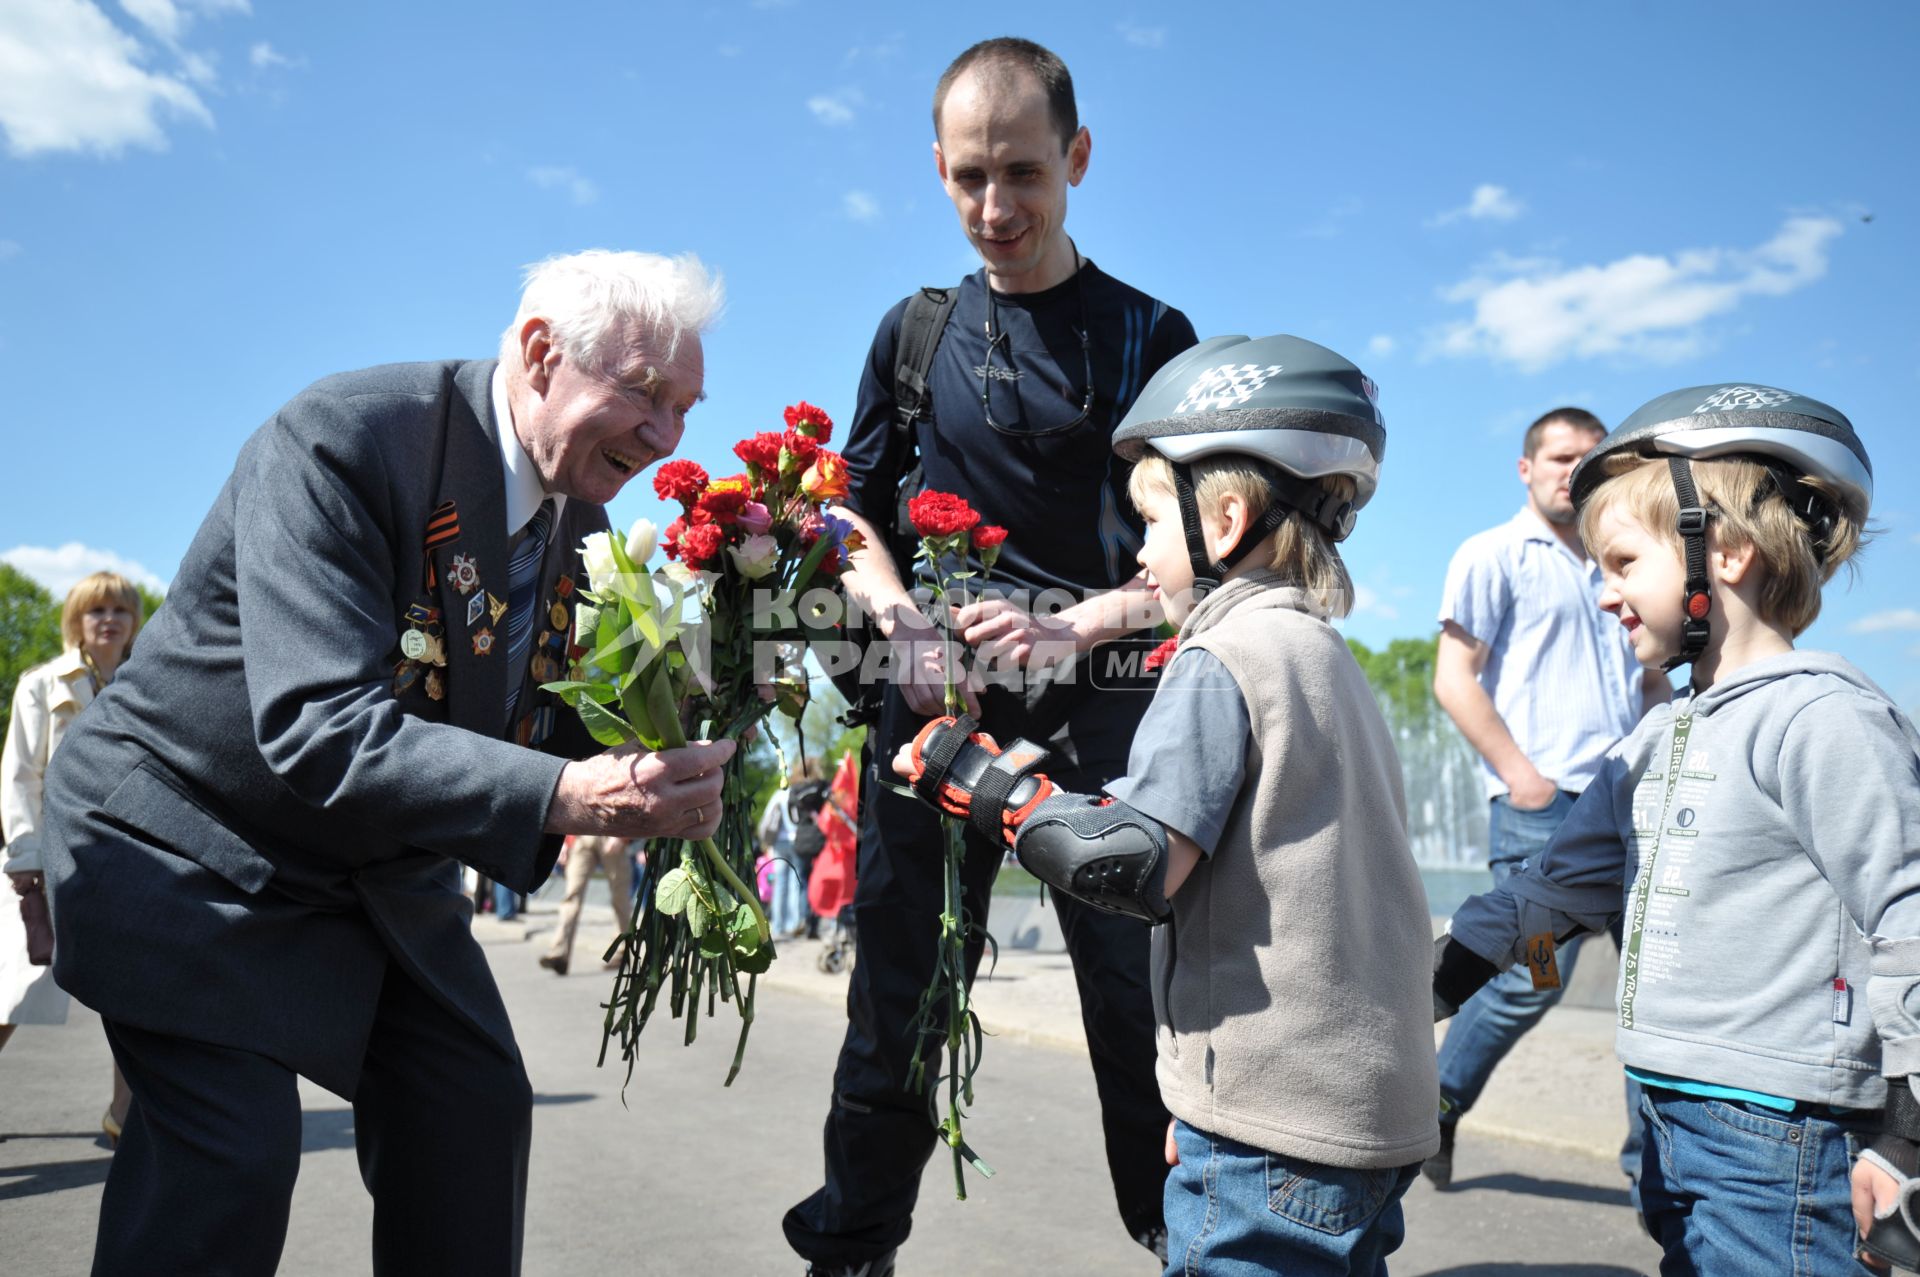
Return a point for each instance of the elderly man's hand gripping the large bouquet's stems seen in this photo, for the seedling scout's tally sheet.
(633, 792)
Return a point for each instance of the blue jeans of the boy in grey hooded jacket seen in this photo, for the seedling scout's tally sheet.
(1735, 1190)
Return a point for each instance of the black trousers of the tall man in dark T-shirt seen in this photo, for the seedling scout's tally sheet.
(880, 1134)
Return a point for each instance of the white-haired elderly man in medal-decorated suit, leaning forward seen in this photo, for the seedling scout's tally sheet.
(254, 836)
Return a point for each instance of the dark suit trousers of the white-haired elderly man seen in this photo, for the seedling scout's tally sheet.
(204, 1174)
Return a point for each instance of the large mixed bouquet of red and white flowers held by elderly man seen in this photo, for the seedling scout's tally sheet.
(690, 652)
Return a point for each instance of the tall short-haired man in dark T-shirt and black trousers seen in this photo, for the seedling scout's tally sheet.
(1036, 368)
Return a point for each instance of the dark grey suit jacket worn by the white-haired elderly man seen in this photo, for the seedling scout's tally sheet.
(258, 815)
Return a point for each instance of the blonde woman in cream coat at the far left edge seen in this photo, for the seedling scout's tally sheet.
(97, 627)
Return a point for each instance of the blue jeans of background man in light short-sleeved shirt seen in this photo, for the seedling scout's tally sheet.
(1500, 1015)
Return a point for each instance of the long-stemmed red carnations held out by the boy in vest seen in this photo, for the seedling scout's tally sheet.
(951, 537)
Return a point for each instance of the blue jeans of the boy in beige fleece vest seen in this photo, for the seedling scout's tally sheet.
(1236, 1211)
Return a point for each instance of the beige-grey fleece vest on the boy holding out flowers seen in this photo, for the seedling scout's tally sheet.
(1293, 986)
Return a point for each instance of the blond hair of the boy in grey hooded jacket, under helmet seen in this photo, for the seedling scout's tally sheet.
(1744, 508)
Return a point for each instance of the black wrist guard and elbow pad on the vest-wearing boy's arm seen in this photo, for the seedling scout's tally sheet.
(1095, 850)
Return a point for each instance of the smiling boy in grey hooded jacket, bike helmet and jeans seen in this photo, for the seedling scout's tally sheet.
(1762, 840)
